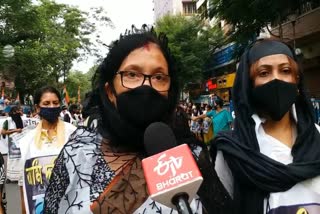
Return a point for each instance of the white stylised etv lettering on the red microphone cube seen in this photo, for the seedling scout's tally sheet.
(164, 165)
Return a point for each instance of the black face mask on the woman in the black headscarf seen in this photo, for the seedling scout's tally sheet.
(275, 98)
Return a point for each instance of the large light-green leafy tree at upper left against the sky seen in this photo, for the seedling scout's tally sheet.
(47, 38)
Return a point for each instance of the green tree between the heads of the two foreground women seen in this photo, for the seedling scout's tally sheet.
(191, 41)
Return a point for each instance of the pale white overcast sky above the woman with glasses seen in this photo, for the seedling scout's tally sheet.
(123, 13)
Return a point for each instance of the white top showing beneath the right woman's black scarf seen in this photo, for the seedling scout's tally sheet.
(304, 197)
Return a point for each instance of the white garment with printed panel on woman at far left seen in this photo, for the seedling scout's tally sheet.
(37, 165)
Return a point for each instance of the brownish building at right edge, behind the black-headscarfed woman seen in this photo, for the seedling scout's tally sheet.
(302, 31)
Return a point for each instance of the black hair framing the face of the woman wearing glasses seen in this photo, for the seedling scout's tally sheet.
(119, 50)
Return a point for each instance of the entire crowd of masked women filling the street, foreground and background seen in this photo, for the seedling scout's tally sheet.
(265, 160)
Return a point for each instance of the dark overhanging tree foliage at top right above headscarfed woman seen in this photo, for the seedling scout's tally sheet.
(249, 17)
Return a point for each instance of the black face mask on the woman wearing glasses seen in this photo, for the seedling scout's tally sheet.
(142, 106)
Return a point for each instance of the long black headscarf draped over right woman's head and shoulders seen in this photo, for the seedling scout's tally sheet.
(256, 175)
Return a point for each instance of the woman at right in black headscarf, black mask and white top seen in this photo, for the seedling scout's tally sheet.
(270, 163)
